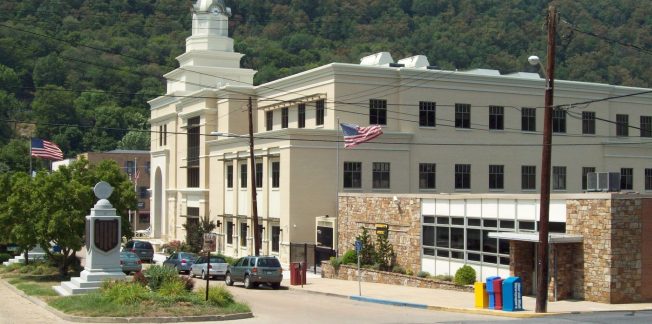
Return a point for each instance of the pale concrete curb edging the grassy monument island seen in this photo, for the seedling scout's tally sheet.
(168, 319)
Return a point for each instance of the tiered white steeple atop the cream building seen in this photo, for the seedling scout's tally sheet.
(209, 60)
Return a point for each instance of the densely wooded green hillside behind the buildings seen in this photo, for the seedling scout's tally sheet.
(82, 70)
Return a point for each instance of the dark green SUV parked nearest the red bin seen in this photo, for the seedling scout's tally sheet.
(254, 270)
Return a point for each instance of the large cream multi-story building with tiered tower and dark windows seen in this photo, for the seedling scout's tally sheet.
(475, 131)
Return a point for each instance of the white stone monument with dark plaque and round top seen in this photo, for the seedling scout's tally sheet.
(103, 239)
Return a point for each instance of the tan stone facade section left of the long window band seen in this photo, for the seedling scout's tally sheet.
(403, 218)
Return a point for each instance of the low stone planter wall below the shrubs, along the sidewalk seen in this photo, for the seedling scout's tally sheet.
(346, 272)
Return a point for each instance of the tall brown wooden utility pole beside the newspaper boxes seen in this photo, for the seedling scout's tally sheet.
(542, 262)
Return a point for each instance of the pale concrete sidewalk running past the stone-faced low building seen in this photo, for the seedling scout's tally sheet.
(444, 300)
